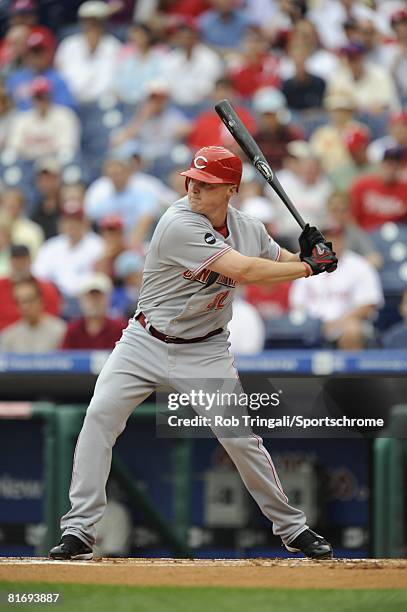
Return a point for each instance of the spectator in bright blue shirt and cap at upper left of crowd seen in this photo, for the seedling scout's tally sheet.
(38, 61)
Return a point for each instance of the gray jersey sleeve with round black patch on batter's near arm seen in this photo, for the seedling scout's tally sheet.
(191, 245)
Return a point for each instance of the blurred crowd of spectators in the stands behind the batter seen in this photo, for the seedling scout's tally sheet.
(102, 103)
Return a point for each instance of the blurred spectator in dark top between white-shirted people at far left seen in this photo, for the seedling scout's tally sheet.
(46, 207)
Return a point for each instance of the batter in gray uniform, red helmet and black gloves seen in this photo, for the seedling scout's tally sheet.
(201, 249)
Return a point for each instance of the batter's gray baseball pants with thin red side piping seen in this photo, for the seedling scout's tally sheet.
(137, 366)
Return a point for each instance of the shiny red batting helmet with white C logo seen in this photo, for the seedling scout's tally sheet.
(215, 165)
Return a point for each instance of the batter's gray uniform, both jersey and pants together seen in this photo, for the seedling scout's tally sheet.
(180, 296)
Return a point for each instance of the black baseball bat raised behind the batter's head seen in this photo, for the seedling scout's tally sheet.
(247, 143)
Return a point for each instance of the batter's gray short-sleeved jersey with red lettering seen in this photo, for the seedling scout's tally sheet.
(180, 296)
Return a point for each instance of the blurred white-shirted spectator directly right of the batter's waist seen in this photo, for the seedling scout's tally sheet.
(246, 317)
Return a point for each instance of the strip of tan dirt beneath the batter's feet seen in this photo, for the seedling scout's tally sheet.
(273, 573)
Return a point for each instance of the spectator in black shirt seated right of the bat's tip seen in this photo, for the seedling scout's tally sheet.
(304, 91)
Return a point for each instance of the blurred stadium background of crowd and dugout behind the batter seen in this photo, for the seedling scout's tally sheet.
(101, 105)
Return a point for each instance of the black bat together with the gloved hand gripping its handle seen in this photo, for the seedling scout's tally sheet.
(322, 250)
